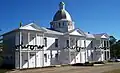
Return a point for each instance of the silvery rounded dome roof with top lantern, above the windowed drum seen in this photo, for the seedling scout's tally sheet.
(62, 14)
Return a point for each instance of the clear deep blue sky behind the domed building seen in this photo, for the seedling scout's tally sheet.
(95, 16)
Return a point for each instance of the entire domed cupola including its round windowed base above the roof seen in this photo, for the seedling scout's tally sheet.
(62, 20)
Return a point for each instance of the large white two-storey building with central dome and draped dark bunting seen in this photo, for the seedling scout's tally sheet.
(31, 46)
